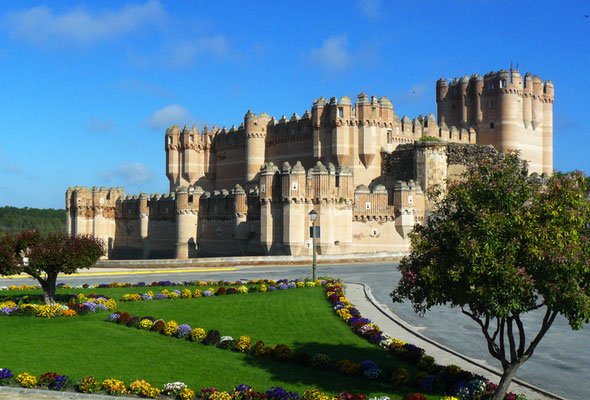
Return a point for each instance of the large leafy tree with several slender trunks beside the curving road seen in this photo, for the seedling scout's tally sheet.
(500, 244)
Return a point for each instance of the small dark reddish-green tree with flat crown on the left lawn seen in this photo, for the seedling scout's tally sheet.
(48, 256)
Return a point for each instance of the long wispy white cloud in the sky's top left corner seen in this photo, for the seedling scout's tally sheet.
(41, 25)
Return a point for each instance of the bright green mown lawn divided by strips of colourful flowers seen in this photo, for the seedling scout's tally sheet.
(301, 318)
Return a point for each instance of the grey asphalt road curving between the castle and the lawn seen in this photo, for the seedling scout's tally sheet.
(558, 365)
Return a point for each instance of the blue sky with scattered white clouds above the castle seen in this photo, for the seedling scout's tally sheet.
(89, 88)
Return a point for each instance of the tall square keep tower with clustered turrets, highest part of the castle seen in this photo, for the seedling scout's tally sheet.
(507, 111)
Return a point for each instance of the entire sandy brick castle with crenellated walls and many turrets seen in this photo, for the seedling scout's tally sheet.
(249, 189)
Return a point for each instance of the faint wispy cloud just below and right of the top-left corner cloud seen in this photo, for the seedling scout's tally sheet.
(182, 53)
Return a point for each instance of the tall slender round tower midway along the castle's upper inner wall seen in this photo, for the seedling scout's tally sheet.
(255, 131)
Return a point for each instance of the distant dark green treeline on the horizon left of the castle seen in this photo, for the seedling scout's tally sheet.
(14, 220)
